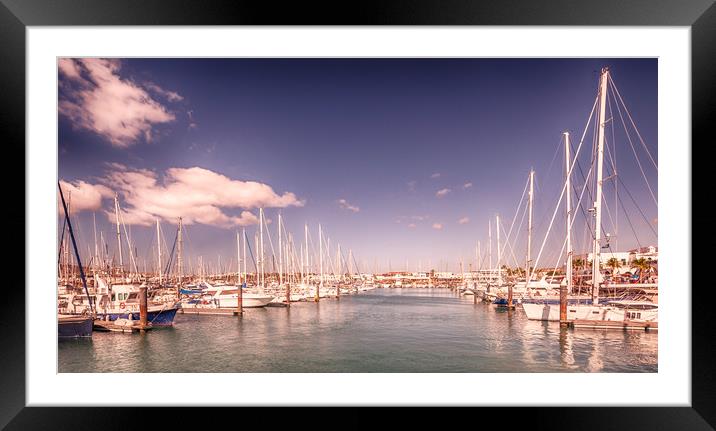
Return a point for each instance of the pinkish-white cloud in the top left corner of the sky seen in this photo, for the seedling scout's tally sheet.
(97, 99)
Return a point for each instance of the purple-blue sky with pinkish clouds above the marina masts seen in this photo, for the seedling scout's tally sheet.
(402, 161)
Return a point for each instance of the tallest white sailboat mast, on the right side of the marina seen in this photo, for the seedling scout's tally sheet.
(596, 261)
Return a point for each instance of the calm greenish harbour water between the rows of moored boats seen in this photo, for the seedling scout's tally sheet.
(384, 330)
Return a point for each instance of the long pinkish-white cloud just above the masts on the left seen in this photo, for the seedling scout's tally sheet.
(196, 194)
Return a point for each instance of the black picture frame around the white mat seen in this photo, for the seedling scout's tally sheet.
(16, 15)
